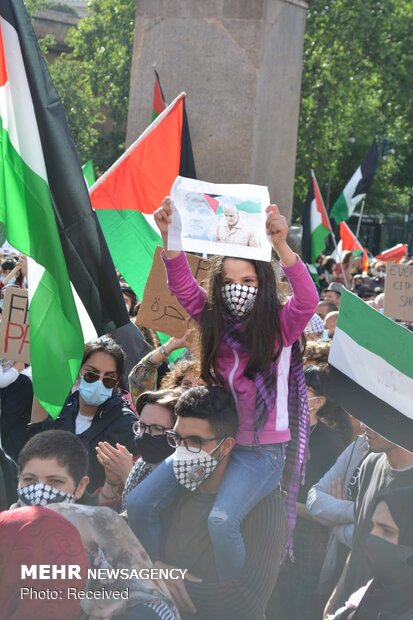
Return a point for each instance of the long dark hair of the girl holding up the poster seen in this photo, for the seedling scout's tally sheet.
(260, 329)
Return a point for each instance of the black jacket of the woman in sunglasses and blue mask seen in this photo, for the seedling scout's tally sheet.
(113, 423)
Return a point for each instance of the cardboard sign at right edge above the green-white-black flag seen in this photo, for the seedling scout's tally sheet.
(398, 292)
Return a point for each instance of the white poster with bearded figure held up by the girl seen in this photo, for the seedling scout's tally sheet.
(228, 220)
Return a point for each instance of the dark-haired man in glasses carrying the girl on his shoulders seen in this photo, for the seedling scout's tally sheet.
(204, 436)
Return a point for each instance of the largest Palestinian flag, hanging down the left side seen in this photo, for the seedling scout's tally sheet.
(45, 207)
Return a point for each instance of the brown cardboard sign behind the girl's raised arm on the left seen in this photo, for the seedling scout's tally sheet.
(160, 310)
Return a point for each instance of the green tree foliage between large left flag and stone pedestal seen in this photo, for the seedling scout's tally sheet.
(93, 78)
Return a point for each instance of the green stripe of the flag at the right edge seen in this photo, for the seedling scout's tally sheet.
(376, 333)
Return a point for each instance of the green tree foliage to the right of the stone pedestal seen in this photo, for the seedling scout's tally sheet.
(357, 83)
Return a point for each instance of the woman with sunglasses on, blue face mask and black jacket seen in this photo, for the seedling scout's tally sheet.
(96, 411)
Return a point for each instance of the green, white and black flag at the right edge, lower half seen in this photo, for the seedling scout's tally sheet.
(372, 374)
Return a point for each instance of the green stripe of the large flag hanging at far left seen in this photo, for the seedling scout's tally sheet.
(25, 206)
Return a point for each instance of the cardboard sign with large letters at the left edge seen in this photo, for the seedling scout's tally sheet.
(14, 329)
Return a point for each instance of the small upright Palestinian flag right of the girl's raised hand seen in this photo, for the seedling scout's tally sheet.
(315, 224)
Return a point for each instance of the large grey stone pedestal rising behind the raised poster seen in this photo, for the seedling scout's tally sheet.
(240, 63)
